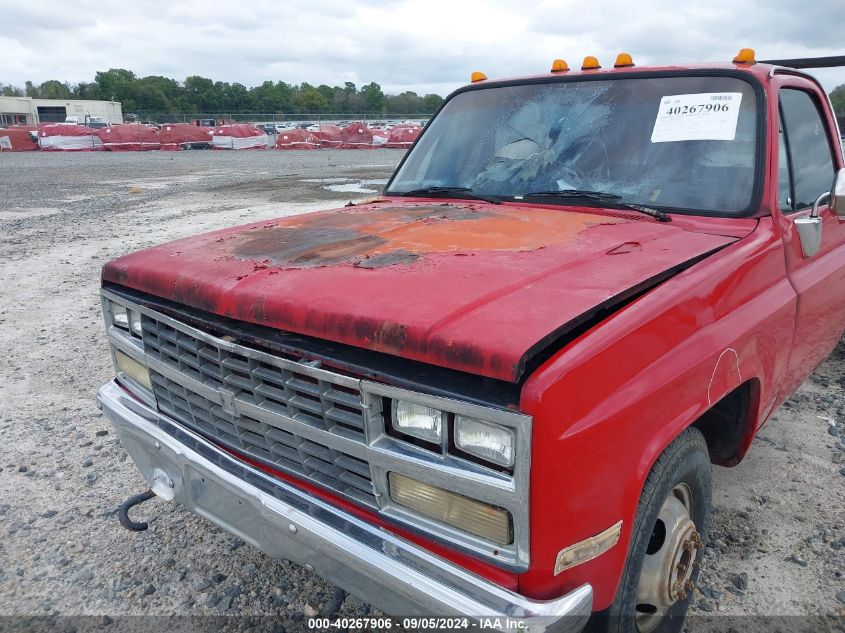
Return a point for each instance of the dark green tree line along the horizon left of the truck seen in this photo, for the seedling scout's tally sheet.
(162, 95)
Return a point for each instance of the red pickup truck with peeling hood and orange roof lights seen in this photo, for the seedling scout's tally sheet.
(497, 390)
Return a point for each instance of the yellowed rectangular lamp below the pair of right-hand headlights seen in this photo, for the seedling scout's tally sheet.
(475, 517)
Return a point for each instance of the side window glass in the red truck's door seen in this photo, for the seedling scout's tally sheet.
(809, 147)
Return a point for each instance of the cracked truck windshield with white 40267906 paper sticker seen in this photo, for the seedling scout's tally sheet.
(675, 143)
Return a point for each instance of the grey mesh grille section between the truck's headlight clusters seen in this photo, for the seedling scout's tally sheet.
(265, 407)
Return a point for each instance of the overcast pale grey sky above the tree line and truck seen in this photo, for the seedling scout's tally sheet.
(421, 45)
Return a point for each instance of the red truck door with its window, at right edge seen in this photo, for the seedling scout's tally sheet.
(807, 159)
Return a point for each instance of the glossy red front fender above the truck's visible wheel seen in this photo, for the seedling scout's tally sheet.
(608, 403)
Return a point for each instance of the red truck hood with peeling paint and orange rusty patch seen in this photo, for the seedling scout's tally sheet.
(475, 287)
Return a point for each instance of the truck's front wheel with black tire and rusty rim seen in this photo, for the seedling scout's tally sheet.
(682, 475)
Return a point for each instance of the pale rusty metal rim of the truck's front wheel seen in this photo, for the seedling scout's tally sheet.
(671, 558)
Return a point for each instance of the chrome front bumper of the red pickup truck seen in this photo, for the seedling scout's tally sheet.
(385, 570)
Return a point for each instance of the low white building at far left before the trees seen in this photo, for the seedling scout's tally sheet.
(29, 111)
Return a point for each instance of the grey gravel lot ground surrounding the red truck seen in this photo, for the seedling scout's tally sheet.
(778, 546)
